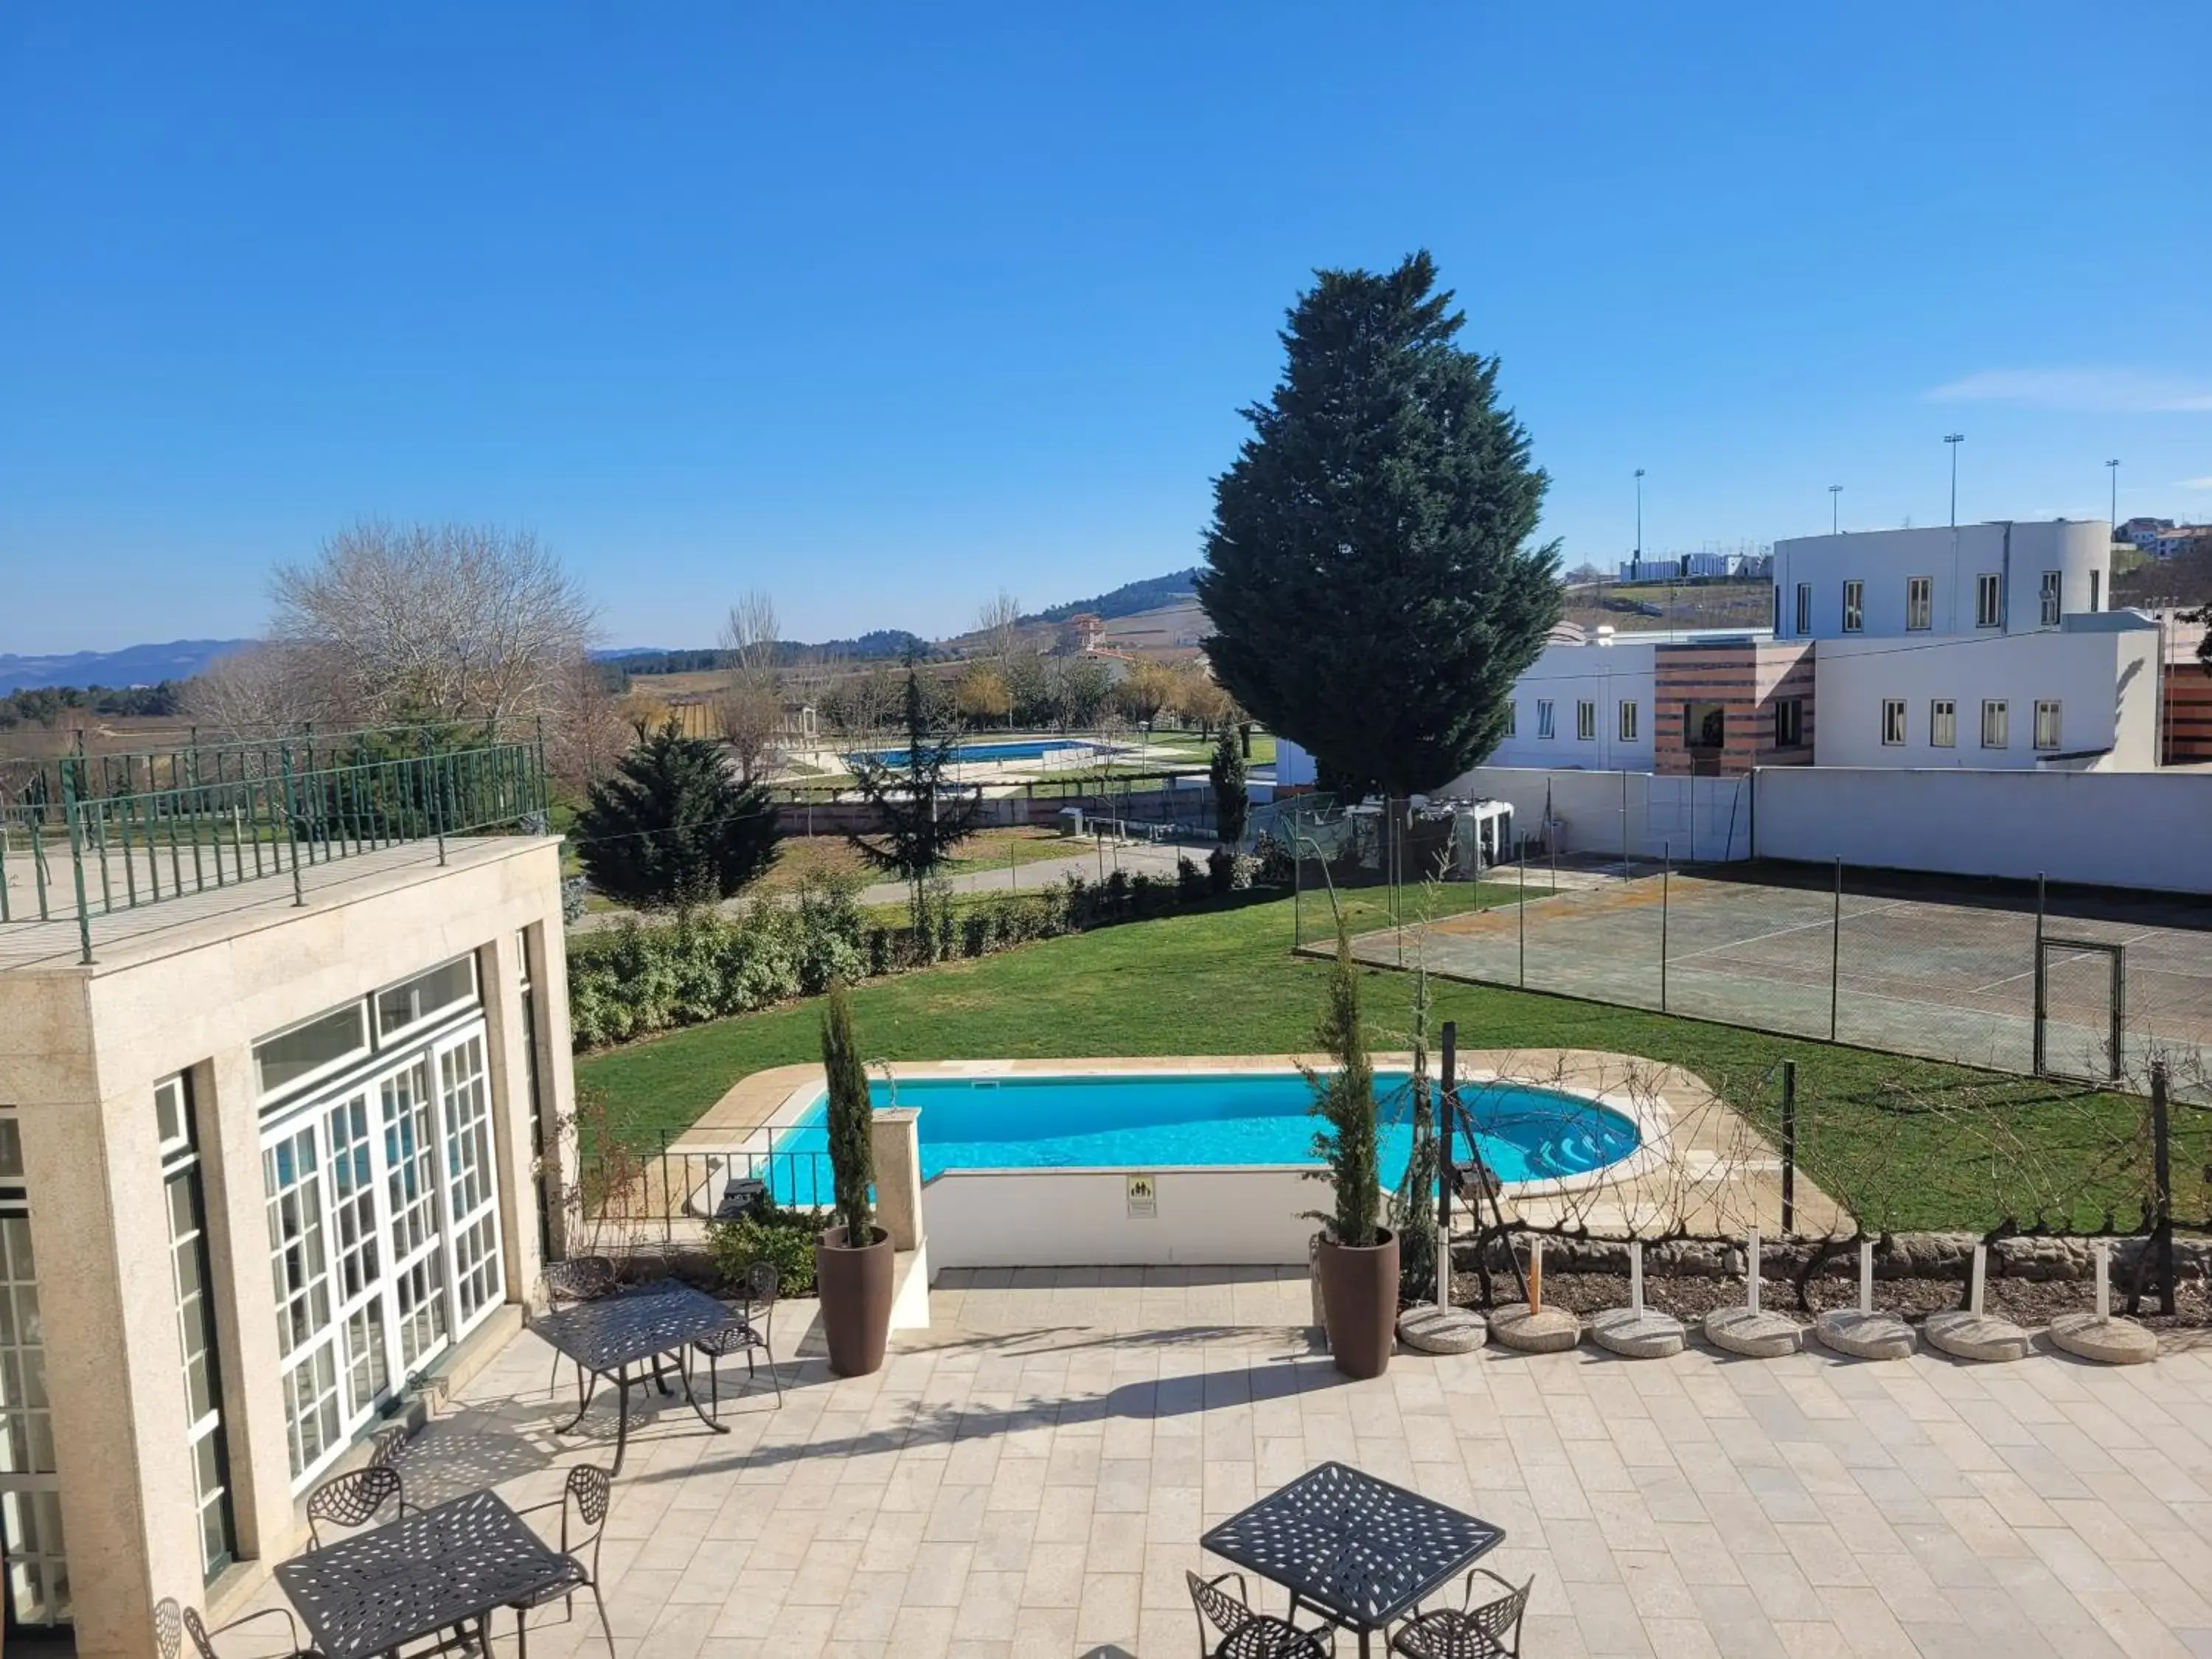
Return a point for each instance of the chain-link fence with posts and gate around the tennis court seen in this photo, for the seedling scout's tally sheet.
(2014, 977)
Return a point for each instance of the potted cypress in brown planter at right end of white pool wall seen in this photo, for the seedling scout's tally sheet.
(1357, 1258)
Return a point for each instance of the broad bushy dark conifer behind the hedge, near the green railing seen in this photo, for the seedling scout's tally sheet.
(674, 826)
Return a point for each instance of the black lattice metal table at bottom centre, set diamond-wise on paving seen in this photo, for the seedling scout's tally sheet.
(1355, 1550)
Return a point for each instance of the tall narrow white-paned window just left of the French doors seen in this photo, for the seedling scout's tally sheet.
(196, 1324)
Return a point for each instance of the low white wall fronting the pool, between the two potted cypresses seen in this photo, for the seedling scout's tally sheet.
(1083, 1218)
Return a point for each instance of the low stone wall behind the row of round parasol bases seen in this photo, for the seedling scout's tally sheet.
(1906, 1255)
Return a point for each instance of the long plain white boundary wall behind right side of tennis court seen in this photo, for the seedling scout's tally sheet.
(2114, 828)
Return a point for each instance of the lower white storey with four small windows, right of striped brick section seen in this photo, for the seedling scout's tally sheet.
(2103, 680)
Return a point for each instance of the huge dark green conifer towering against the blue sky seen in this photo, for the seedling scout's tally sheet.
(1370, 572)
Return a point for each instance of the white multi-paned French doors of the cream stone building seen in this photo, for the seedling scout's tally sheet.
(384, 1215)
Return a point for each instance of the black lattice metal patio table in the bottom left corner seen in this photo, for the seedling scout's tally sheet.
(419, 1576)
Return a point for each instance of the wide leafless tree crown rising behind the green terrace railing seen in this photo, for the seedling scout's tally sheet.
(452, 623)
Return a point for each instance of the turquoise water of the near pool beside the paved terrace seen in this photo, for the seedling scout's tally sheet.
(1156, 1123)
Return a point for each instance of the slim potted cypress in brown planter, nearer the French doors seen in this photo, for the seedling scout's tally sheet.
(853, 1280)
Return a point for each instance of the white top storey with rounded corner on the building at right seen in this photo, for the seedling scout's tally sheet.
(2018, 552)
